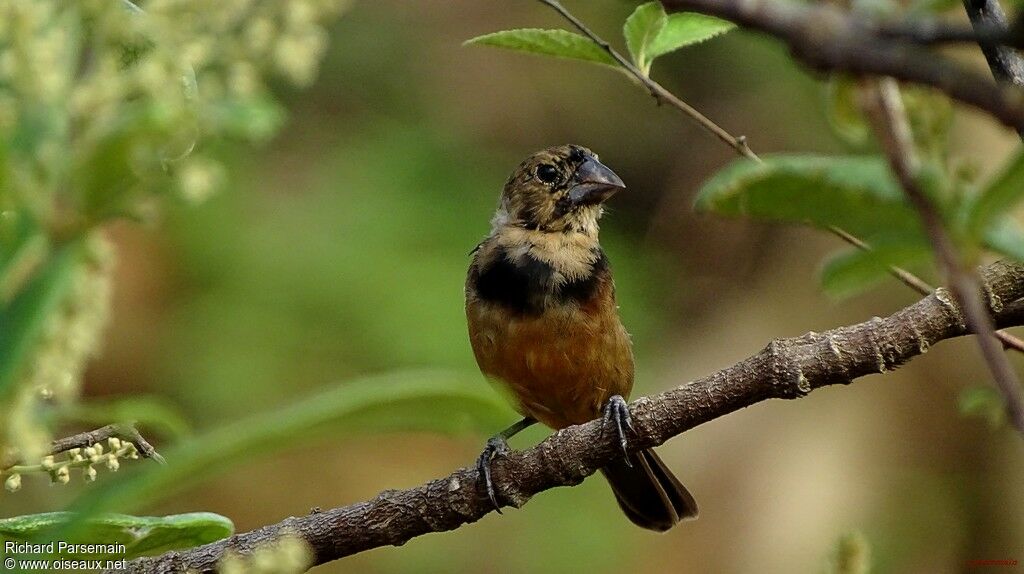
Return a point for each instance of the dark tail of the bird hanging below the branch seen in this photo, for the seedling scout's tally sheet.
(648, 492)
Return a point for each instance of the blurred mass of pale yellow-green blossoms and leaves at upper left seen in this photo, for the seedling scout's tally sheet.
(104, 110)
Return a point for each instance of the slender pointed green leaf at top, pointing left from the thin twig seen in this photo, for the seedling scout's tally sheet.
(559, 43)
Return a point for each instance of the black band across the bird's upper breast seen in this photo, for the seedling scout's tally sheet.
(529, 287)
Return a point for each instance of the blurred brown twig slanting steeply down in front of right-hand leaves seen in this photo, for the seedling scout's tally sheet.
(894, 131)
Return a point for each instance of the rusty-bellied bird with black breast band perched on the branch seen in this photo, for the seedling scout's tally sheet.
(545, 329)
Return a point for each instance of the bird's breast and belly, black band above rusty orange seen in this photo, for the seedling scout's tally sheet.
(559, 347)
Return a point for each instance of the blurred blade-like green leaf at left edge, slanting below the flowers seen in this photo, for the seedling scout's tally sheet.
(23, 320)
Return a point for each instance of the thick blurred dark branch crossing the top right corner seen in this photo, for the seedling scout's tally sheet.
(828, 39)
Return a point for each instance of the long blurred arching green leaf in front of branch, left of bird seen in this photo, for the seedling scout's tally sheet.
(422, 401)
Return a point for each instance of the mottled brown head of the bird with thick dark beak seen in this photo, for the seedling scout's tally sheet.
(559, 190)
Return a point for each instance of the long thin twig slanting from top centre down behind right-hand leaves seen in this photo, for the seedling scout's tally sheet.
(740, 145)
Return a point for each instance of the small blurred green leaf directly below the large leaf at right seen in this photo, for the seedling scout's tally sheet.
(854, 272)
